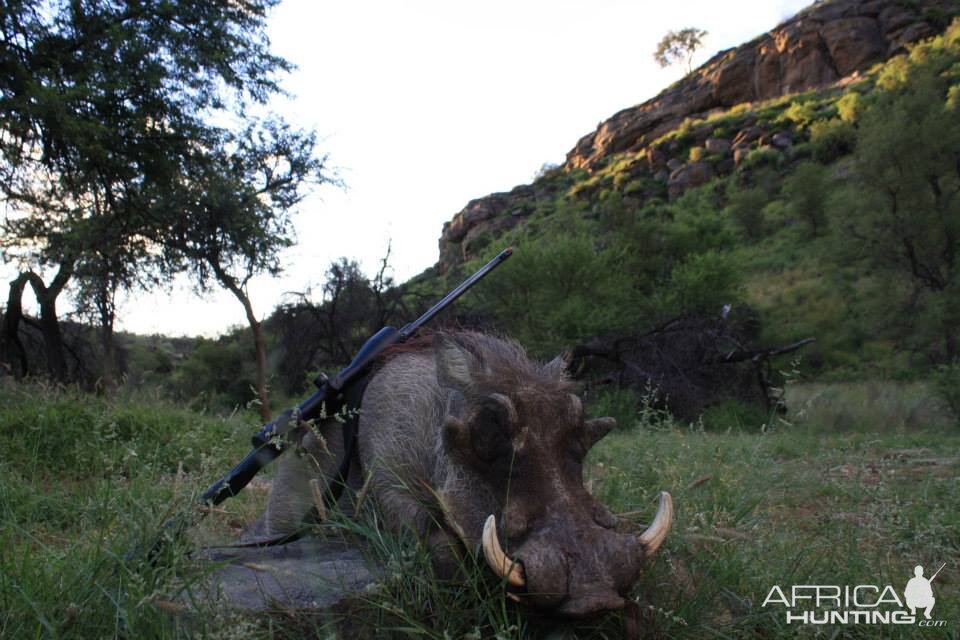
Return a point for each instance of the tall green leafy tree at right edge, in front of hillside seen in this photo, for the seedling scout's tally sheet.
(907, 202)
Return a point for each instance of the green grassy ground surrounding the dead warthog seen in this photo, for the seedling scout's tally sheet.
(855, 499)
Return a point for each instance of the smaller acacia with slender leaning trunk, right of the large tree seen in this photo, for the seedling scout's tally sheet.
(236, 218)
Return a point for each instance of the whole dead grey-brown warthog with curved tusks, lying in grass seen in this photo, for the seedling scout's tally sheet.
(465, 439)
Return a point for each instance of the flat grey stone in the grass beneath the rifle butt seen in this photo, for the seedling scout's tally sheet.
(305, 575)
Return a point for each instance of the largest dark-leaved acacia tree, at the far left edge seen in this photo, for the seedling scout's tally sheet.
(102, 103)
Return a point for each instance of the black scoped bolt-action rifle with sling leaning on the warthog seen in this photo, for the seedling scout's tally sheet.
(332, 394)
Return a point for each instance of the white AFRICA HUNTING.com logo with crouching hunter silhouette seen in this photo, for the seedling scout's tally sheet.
(860, 604)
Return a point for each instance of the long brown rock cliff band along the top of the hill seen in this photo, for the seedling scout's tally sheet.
(816, 47)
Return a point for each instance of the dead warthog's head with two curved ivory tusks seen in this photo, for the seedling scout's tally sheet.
(519, 436)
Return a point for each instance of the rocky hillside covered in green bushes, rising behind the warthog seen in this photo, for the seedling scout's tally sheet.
(739, 184)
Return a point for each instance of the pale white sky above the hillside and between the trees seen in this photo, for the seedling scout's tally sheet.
(425, 105)
